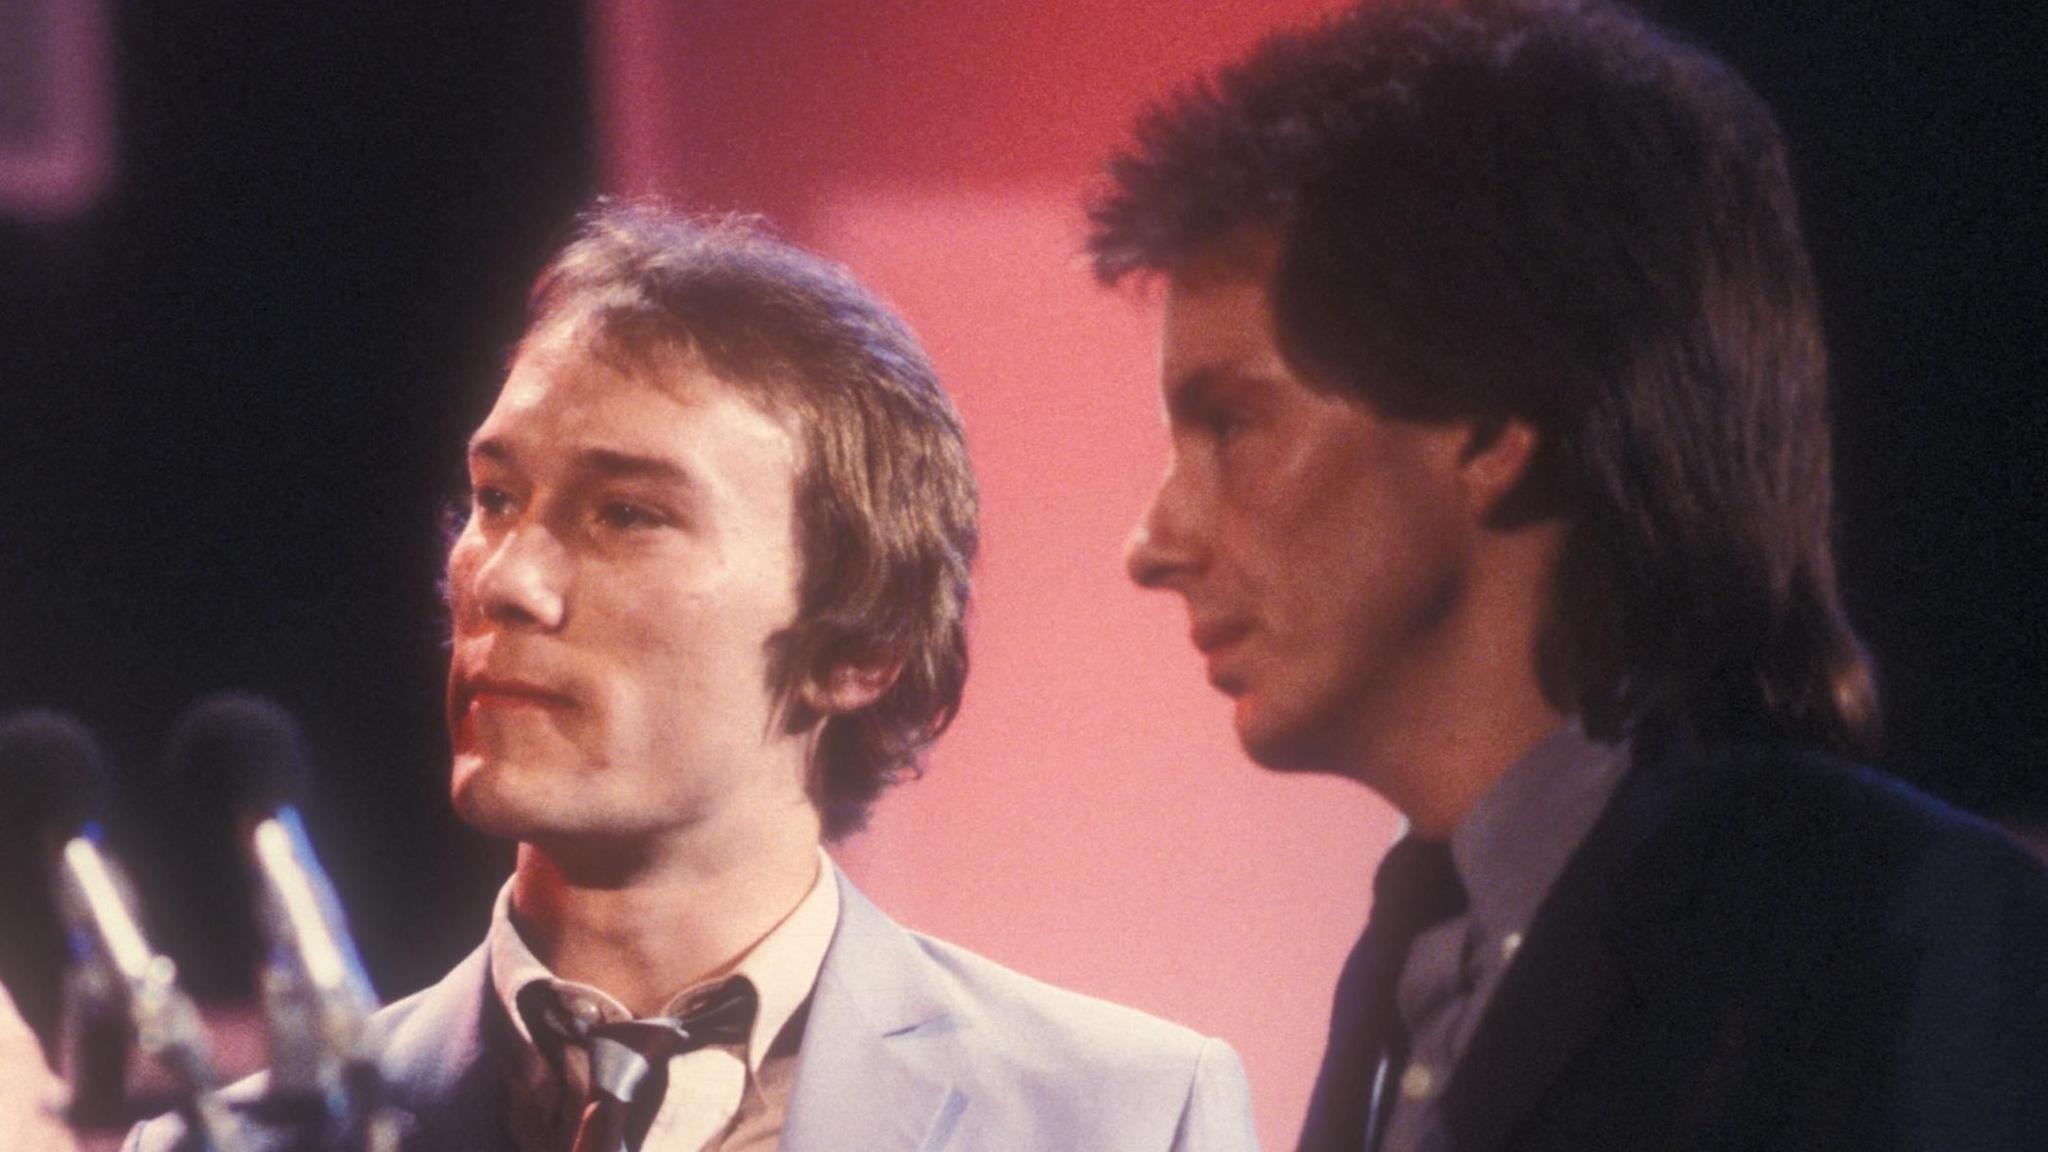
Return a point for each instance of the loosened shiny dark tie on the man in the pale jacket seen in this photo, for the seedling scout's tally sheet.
(630, 1061)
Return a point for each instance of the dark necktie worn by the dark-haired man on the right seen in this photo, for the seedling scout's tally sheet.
(1414, 891)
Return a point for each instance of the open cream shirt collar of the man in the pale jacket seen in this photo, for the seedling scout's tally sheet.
(783, 966)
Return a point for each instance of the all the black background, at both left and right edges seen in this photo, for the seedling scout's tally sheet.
(232, 397)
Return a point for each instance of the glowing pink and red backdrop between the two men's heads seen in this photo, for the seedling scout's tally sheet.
(1091, 819)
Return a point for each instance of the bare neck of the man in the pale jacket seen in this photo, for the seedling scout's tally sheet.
(644, 923)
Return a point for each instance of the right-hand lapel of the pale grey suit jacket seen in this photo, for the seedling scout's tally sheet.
(878, 1046)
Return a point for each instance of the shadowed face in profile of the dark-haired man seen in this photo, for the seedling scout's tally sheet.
(1318, 544)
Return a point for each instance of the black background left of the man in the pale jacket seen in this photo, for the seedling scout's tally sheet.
(232, 401)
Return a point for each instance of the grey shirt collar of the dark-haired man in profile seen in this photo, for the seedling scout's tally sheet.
(1517, 841)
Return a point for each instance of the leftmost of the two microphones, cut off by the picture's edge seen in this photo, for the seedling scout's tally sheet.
(54, 770)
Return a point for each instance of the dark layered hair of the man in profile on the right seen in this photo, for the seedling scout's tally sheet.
(1551, 210)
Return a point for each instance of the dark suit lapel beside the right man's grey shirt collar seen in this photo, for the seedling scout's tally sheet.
(1584, 952)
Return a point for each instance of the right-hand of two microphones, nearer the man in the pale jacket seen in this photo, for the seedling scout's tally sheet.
(316, 997)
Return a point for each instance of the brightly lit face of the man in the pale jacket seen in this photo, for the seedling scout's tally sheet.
(630, 554)
